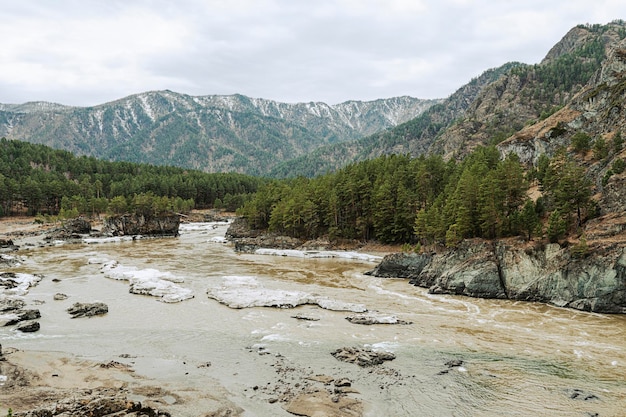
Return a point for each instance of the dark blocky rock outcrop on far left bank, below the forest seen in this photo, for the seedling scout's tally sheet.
(134, 224)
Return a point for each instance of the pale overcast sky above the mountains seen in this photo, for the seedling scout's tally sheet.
(89, 52)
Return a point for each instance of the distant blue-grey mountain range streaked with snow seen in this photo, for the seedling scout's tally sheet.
(210, 133)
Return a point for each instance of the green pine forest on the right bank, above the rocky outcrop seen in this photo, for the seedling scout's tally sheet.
(426, 200)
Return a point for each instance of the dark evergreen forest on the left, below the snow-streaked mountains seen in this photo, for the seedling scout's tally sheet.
(37, 179)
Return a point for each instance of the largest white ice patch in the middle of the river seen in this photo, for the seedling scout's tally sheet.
(246, 292)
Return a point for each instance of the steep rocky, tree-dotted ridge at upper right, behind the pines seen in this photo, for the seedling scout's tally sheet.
(491, 108)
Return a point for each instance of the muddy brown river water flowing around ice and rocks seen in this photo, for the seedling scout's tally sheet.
(518, 358)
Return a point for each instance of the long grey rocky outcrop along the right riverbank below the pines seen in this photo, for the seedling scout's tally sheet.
(591, 281)
